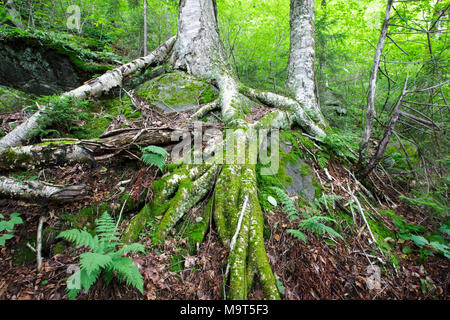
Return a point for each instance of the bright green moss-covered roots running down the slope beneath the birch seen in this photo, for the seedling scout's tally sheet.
(182, 189)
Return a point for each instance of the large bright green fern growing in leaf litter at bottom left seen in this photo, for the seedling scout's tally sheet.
(104, 258)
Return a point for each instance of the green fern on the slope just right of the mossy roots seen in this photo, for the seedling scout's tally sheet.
(311, 221)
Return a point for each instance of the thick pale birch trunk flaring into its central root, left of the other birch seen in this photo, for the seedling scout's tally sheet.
(199, 51)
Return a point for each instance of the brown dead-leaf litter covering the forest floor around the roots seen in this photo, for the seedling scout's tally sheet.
(315, 270)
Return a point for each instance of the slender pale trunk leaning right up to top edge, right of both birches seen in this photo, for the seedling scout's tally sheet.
(373, 85)
